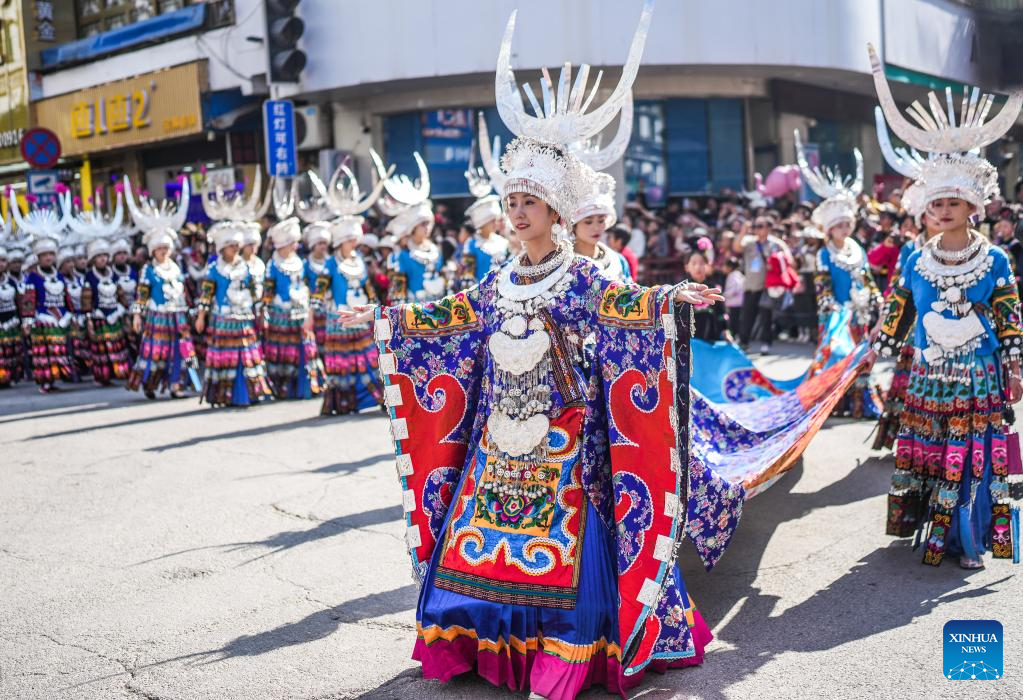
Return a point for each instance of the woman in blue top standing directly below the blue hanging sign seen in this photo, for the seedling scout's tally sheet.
(289, 344)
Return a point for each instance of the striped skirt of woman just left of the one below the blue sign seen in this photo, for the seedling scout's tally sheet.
(236, 374)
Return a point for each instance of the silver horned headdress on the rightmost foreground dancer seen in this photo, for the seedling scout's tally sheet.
(954, 168)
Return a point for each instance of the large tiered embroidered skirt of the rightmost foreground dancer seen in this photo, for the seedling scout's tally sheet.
(951, 460)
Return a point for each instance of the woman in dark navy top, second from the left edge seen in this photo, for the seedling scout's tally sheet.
(47, 320)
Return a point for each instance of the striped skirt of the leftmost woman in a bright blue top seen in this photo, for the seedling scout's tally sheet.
(166, 354)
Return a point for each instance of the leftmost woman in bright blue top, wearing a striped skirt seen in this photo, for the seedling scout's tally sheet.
(160, 316)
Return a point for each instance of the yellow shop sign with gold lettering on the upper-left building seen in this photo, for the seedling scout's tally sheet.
(149, 108)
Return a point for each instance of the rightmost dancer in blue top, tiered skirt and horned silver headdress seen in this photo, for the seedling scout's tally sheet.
(960, 296)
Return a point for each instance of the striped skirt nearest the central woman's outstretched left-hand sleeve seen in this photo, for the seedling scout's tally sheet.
(350, 357)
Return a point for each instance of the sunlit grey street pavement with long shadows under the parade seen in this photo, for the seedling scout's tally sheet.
(166, 550)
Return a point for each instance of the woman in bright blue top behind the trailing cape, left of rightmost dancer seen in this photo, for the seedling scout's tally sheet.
(847, 293)
